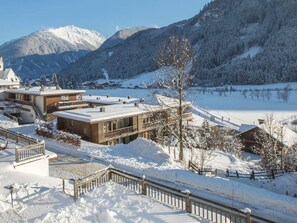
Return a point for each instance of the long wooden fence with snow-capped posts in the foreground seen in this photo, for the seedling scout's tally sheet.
(184, 200)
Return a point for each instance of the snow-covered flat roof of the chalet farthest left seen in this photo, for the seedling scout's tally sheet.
(47, 91)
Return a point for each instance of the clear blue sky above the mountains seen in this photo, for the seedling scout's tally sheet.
(22, 17)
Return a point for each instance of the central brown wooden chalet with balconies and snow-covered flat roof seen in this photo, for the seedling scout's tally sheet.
(120, 123)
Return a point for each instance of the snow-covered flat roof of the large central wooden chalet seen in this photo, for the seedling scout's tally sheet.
(93, 115)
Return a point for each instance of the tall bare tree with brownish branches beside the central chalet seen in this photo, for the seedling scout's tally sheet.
(175, 60)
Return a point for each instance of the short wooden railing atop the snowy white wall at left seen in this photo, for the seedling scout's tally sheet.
(29, 152)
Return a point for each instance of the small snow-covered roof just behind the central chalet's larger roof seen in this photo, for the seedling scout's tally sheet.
(108, 100)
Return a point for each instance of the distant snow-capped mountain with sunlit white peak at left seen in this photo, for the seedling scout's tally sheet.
(49, 50)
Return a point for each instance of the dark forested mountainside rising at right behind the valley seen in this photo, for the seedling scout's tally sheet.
(235, 42)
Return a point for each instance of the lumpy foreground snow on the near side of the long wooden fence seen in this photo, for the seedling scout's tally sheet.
(110, 203)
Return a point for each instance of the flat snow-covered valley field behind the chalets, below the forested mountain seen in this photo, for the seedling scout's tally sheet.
(231, 105)
